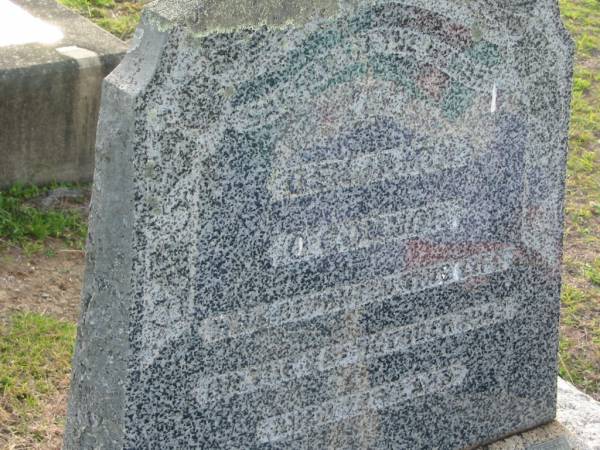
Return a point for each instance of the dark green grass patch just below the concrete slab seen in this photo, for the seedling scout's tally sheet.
(28, 227)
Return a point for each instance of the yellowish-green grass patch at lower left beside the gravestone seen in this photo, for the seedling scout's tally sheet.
(35, 363)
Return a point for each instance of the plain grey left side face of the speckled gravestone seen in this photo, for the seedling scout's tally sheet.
(100, 376)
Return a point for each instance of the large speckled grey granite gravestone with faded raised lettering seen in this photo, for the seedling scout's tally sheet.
(323, 224)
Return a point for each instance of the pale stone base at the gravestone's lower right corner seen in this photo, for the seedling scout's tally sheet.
(577, 426)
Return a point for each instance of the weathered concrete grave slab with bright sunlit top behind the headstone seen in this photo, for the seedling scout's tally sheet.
(52, 63)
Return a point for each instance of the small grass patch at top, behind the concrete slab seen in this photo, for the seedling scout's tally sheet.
(117, 17)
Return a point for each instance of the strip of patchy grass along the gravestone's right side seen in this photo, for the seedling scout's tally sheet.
(580, 328)
